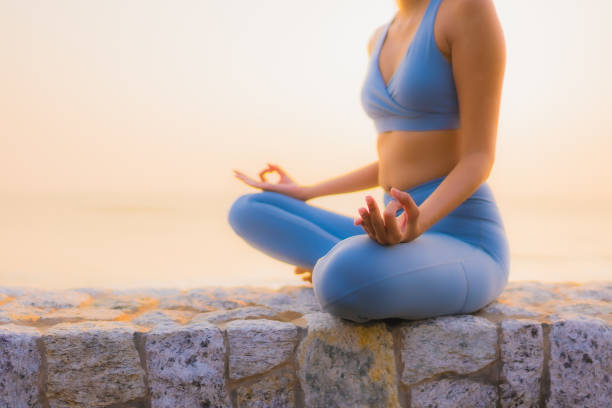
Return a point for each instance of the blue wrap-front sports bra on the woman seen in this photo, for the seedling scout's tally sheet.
(421, 94)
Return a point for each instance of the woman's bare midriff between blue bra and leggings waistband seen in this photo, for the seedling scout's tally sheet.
(409, 158)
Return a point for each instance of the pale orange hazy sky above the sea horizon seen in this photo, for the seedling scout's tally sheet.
(170, 96)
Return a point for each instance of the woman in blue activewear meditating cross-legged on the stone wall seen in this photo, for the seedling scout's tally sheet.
(439, 247)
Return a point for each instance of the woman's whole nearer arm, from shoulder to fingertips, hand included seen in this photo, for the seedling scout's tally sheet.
(478, 57)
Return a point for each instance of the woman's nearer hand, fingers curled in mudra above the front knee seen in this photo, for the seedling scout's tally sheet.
(389, 229)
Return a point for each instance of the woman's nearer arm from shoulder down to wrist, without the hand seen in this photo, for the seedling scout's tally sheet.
(478, 57)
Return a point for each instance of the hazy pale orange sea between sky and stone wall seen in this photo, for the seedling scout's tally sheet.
(180, 240)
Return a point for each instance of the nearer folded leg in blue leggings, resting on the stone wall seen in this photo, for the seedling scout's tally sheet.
(433, 275)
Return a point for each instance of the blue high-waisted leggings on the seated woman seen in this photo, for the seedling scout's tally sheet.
(458, 265)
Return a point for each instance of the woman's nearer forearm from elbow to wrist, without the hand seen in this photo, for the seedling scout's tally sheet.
(457, 186)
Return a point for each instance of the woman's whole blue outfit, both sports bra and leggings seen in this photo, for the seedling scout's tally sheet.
(459, 265)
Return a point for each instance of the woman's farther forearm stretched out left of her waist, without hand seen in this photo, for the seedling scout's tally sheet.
(360, 179)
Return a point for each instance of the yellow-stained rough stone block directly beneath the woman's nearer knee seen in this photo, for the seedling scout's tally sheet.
(344, 364)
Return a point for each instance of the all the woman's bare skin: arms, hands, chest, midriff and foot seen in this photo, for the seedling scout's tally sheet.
(469, 35)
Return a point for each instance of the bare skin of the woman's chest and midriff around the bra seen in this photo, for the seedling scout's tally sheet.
(409, 158)
